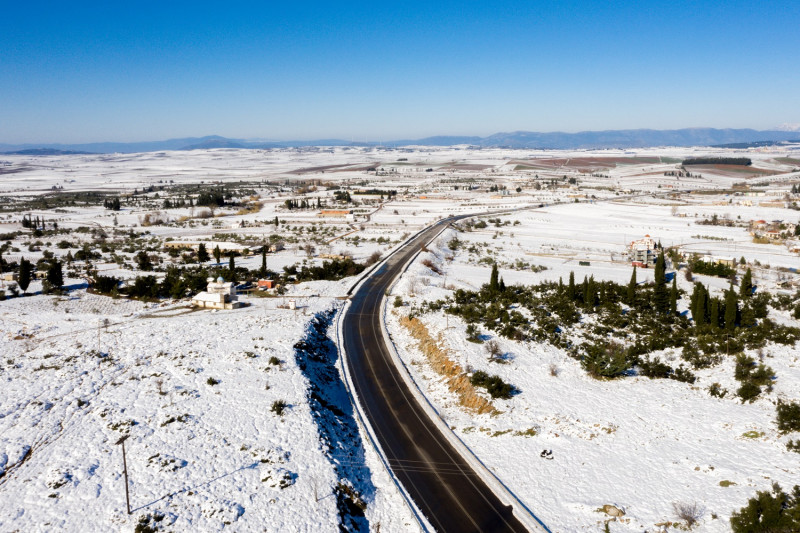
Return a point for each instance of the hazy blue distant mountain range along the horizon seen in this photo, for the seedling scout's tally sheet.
(518, 139)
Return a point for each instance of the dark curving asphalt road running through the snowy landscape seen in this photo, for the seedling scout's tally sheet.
(445, 488)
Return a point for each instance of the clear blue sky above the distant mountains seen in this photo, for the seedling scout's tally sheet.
(114, 71)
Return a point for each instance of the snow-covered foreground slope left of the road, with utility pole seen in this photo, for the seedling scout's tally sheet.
(194, 390)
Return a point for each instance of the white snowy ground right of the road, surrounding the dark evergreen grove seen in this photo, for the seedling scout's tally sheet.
(641, 445)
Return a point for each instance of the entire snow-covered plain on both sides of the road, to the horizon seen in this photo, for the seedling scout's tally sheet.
(195, 389)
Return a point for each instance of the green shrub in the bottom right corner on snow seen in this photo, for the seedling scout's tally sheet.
(773, 511)
